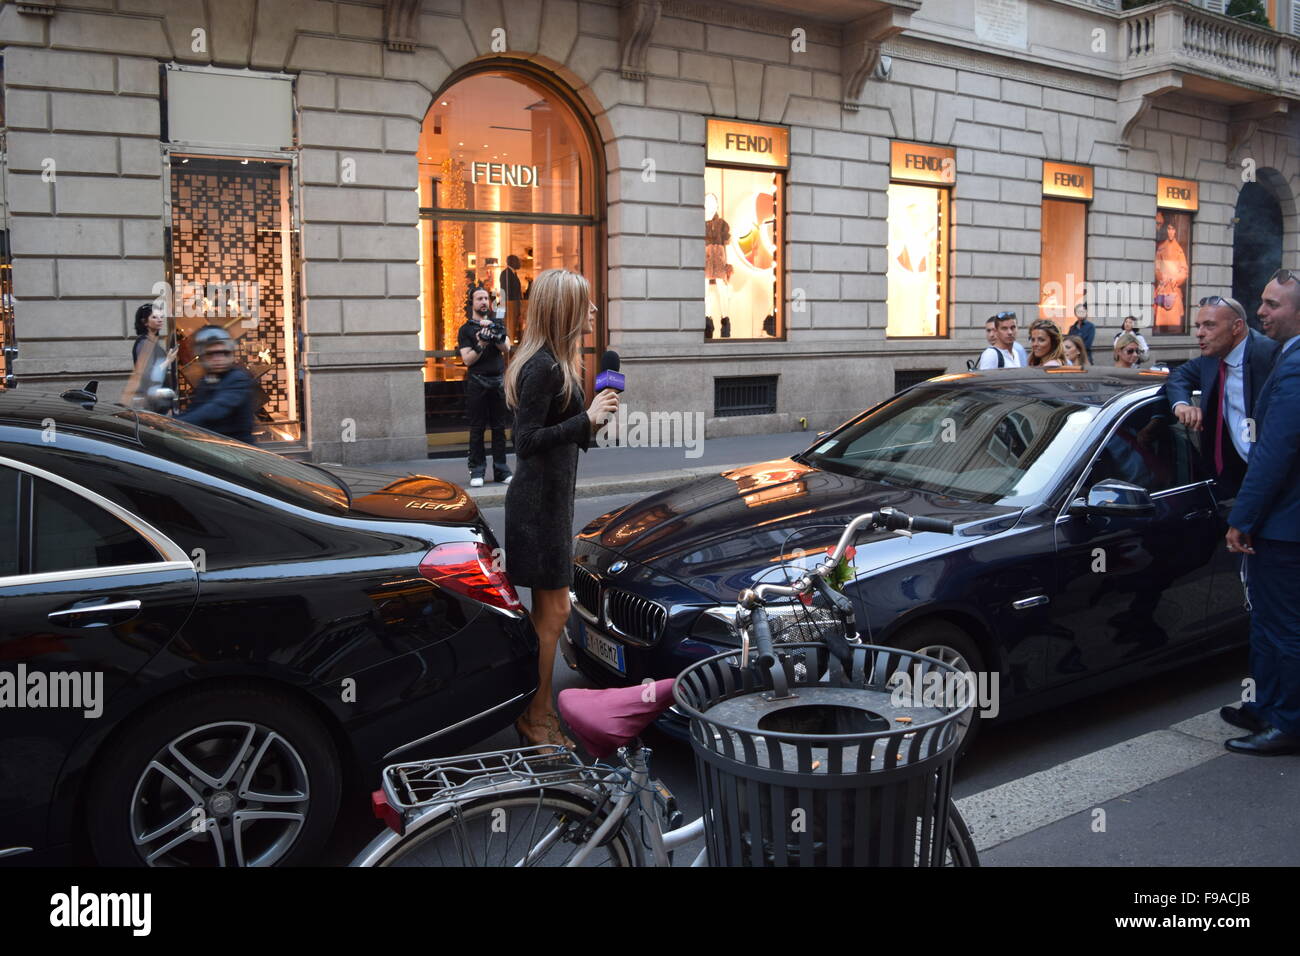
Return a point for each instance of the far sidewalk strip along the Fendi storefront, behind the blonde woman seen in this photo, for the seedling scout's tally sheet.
(600, 471)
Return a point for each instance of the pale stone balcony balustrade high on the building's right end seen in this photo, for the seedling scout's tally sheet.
(1177, 36)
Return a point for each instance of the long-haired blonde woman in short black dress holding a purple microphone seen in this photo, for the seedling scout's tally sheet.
(544, 388)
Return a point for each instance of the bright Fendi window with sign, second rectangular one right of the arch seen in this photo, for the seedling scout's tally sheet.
(921, 187)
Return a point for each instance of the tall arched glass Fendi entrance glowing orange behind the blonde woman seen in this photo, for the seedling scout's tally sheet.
(512, 184)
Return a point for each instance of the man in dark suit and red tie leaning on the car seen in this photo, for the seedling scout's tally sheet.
(1230, 374)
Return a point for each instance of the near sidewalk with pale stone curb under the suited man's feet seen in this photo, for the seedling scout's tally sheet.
(1171, 798)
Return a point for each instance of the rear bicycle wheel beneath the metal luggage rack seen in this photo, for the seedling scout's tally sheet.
(541, 827)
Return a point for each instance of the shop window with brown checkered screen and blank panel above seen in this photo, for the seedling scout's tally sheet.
(232, 240)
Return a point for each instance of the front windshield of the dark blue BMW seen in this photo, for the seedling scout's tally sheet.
(978, 444)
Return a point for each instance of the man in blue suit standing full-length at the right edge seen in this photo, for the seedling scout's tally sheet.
(1266, 526)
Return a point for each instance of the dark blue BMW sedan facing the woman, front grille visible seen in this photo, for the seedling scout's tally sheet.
(1089, 547)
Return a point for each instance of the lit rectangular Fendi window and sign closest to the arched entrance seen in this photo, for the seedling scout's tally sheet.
(744, 207)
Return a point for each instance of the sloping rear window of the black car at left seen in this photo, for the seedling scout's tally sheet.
(244, 465)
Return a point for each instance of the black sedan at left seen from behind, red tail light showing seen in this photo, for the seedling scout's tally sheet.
(205, 644)
